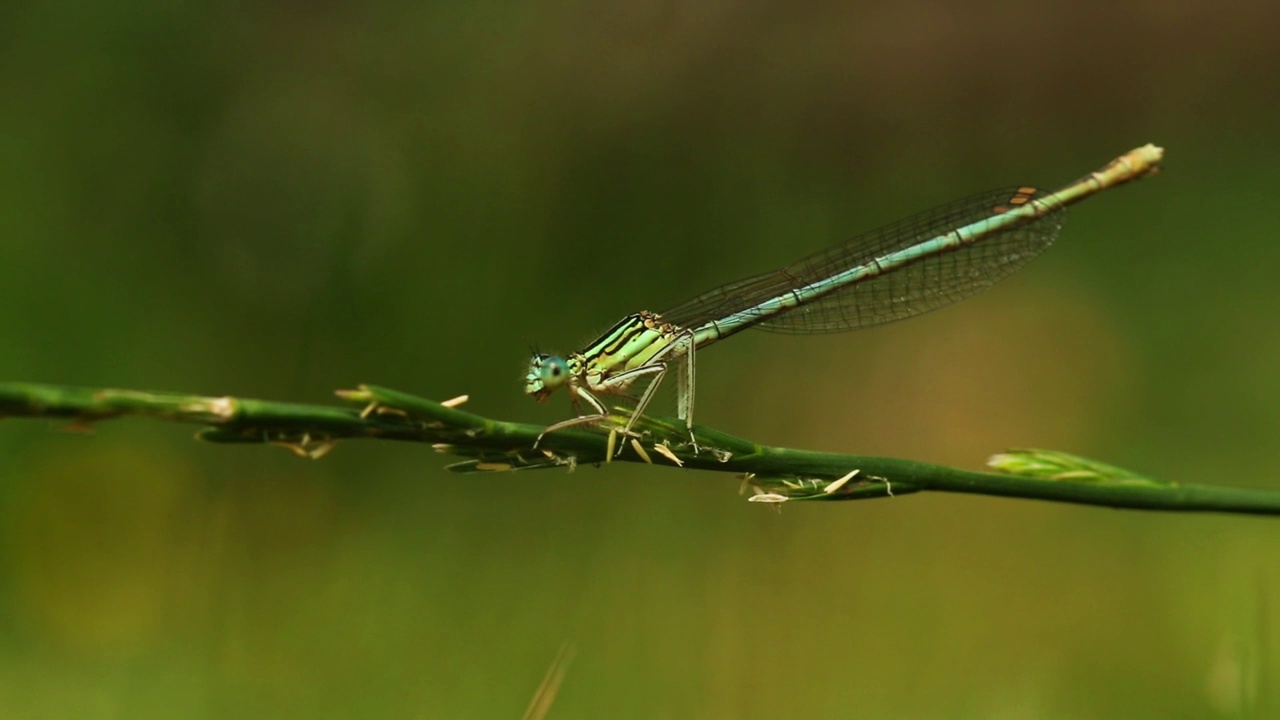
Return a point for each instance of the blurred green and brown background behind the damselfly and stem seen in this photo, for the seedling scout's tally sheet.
(282, 199)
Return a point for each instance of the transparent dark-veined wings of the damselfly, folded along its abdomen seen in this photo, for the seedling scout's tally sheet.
(924, 285)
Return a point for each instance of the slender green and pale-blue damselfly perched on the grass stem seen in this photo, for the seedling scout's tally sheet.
(897, 272)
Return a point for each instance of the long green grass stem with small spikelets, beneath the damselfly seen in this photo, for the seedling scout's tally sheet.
(776, 475)
